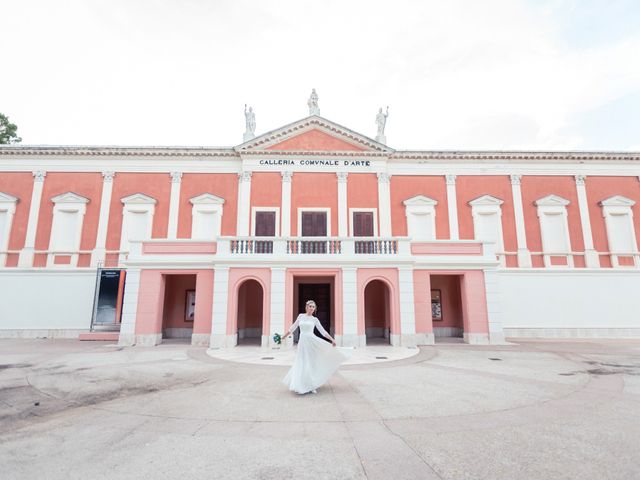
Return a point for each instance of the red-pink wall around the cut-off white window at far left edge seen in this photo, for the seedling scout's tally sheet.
(19, 185)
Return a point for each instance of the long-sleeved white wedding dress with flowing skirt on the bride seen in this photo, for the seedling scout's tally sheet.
(316, 360)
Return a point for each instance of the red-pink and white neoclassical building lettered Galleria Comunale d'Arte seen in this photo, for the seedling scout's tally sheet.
(222, 246)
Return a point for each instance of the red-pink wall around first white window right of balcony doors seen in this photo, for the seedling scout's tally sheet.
(404, 187)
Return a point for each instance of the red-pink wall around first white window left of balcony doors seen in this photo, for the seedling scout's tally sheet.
(224, 185)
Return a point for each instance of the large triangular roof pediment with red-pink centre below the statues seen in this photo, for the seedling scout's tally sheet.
(314, 134)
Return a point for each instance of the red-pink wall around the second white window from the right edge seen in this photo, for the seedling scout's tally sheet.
(536, 187)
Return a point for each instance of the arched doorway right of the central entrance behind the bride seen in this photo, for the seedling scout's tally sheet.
(377, 313)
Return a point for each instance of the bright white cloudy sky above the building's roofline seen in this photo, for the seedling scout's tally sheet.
(466, 74)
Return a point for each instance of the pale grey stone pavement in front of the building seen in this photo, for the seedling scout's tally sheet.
(529, 410)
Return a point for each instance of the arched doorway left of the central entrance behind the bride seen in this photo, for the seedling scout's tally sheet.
(249, 313)
